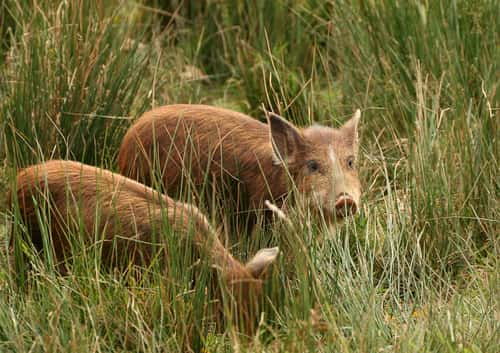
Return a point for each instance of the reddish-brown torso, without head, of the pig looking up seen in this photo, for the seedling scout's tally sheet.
(186, 140)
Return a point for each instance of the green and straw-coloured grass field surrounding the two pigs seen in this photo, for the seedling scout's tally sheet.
(416, 271)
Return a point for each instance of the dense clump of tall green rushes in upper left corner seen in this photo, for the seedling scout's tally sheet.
(72, 75)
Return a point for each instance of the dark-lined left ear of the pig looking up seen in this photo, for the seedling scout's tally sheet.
(286, 139)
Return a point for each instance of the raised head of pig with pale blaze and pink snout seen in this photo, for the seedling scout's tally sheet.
(322, 162)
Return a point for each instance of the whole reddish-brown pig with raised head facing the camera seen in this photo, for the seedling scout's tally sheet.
(185, 142)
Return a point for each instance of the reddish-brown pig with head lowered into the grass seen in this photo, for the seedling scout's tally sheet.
(126, 218)
